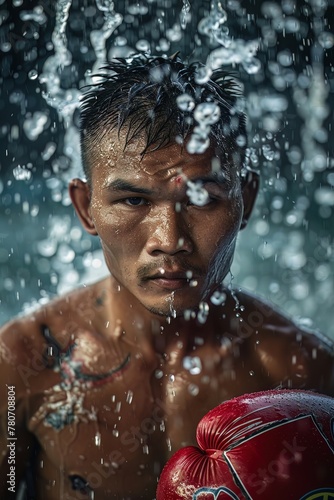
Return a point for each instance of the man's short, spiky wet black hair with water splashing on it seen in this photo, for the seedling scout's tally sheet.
(139, 95)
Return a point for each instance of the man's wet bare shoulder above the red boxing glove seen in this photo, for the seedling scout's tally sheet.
(292, 355)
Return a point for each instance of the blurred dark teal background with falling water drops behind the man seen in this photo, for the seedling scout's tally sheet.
(283, 54)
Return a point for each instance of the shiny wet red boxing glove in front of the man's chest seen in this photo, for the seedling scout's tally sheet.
(270, 445)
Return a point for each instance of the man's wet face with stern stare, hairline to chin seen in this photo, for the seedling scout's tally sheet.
(157, 242)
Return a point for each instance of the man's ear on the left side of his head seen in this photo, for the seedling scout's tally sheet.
(80, 195)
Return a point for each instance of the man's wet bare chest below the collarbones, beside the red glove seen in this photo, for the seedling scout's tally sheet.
(122, 416)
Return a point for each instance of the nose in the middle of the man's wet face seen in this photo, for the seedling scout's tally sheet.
(169, 234)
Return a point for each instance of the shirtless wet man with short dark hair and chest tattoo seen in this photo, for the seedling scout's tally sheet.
(112, 379)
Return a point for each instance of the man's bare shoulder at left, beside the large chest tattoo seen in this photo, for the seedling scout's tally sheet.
(24, 340)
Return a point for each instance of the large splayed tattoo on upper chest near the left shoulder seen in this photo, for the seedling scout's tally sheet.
(75, 380)
